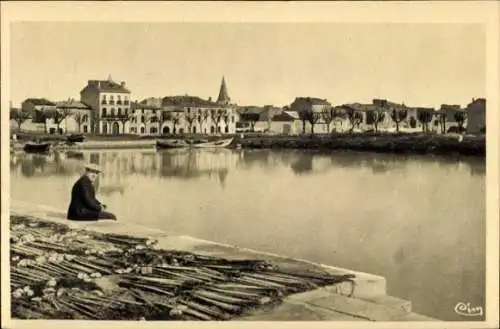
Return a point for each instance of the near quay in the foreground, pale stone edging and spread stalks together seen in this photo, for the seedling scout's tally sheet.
(158, 277)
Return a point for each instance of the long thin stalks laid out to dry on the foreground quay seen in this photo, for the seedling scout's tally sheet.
(57, 273)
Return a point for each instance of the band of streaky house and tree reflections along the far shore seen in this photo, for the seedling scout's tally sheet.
(192, 164)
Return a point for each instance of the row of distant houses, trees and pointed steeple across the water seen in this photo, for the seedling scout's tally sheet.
(106, 107)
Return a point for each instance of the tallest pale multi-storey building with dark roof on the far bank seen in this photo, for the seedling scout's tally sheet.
(110, 103)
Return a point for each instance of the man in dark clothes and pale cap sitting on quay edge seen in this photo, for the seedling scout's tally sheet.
(84, 205)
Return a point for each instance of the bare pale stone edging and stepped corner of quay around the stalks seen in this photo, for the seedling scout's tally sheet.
(363, 299)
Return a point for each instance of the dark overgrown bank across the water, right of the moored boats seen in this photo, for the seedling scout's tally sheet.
(381, 143)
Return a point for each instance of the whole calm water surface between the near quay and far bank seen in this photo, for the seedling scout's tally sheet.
(417, 221)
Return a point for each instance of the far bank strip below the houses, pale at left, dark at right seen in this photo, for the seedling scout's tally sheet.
(414, 143)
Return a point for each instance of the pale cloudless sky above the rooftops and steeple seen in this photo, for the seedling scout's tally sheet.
(263, 63)
